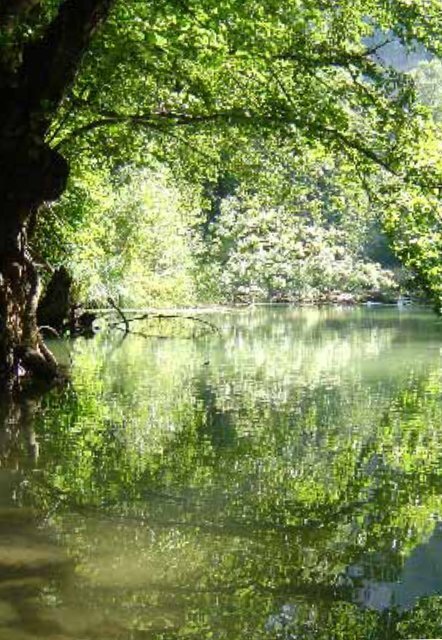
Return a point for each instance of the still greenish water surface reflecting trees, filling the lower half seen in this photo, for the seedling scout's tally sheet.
(279, 479)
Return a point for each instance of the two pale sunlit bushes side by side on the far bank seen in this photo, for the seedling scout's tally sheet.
(139, 238)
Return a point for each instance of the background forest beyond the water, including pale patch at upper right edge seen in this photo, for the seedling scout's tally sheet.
(275, 226)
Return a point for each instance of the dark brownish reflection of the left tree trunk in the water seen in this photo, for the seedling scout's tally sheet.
(32, 567)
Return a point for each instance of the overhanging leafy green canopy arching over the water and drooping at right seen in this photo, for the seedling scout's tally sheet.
(194, 83)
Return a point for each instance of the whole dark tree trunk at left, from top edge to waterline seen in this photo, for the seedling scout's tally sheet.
(32, 173)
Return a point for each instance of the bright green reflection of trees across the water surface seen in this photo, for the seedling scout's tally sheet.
(203, 500)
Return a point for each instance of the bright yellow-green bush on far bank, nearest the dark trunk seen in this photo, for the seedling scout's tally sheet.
(128, 236)
